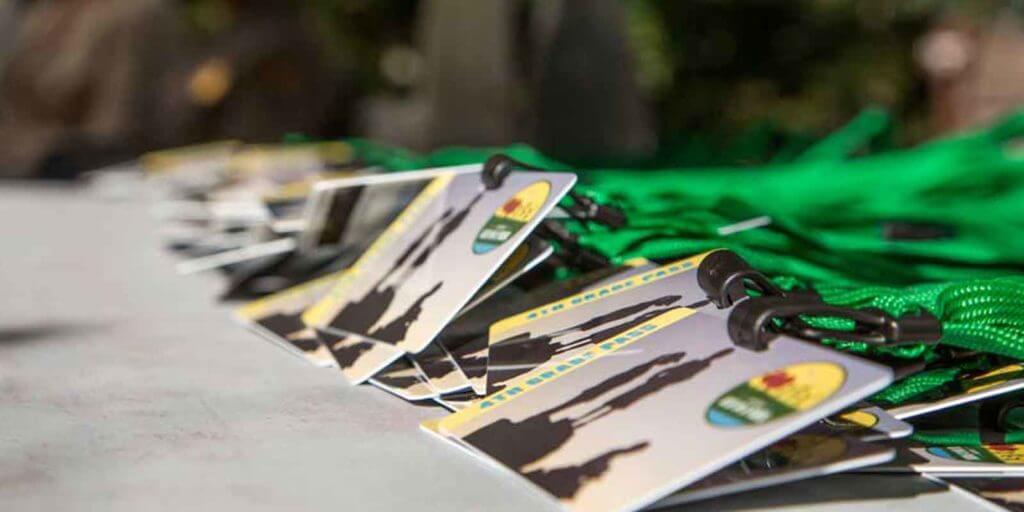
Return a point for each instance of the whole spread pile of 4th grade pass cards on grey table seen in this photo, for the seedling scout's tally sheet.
(615, 390)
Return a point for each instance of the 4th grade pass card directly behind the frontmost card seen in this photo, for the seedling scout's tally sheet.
(560, 330)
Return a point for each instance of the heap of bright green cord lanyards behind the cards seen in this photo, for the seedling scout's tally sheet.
(940, 227)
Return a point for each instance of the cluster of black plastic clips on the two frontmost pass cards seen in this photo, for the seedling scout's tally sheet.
(755, 321)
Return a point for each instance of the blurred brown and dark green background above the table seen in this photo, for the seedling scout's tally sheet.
(89, 83)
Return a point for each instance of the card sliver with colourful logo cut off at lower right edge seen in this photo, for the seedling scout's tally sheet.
(985, 459)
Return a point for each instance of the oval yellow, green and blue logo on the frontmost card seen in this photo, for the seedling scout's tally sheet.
(778, 394)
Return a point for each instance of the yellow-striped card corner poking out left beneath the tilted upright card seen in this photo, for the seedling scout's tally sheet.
(279, 319)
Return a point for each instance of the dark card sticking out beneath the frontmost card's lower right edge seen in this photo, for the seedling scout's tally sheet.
(812, 453)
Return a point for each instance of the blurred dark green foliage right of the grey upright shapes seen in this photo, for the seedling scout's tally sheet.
(806, 66)
